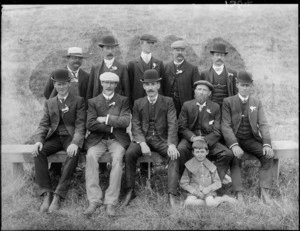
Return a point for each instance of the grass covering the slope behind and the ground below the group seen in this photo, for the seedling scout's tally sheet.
(262, 39)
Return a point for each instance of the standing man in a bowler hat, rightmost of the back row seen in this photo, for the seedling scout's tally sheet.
(222, 78)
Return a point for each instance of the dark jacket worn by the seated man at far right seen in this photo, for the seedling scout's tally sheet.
(232, 117)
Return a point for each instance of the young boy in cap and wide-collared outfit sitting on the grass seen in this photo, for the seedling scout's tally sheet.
(201, 179)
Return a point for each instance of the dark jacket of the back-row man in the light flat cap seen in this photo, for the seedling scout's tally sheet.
(185, 80)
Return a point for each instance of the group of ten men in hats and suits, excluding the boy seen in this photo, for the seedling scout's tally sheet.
(169, 107)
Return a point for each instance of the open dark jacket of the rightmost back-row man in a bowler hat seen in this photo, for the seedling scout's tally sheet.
(231, 79)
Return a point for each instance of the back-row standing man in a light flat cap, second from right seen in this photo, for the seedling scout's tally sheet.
(180, 76)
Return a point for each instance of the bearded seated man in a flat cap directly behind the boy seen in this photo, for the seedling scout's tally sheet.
(200, 119)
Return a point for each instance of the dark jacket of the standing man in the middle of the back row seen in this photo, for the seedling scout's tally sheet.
(135, 74)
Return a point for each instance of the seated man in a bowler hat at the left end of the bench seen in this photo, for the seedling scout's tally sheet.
(62, 127)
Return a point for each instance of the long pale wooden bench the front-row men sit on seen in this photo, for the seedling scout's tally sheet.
(19, 154)
